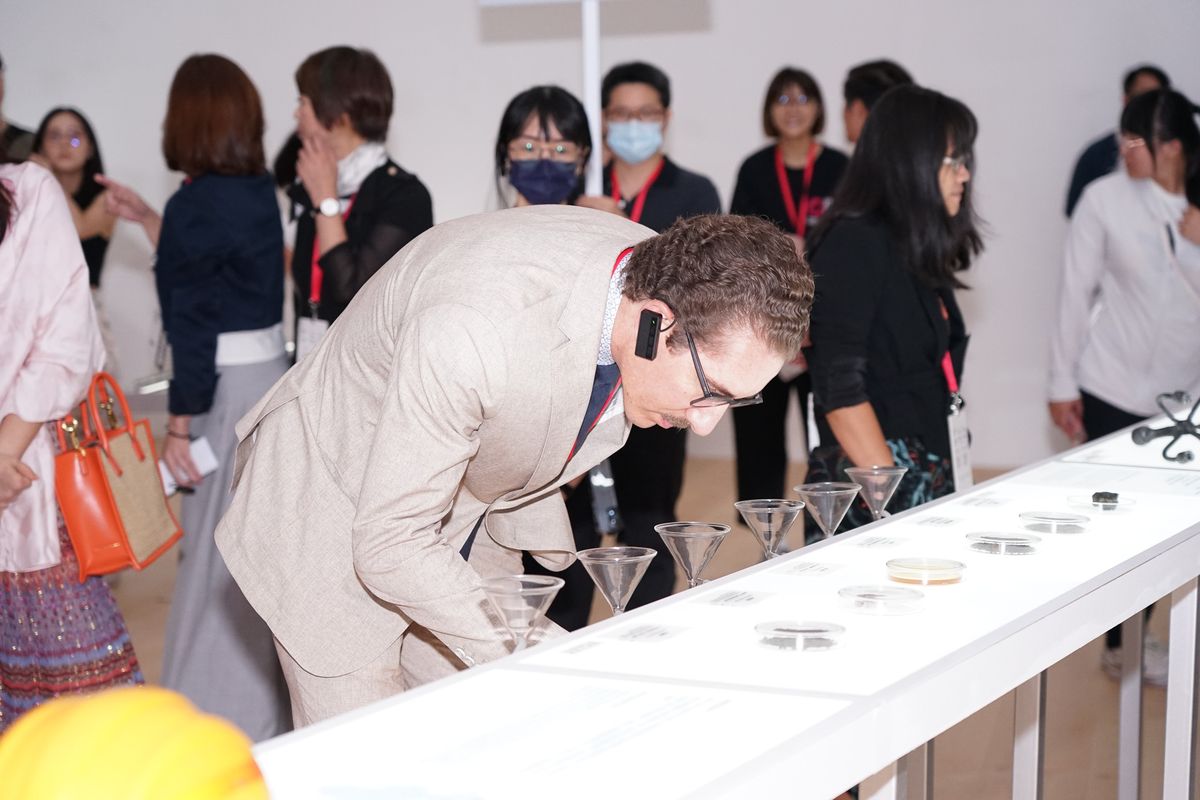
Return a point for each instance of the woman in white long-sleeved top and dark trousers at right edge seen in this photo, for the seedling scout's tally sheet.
(1131, 294)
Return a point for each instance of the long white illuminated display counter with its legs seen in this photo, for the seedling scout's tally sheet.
(685, 699)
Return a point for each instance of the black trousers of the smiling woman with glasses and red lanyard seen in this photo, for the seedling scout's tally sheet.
(760, 437)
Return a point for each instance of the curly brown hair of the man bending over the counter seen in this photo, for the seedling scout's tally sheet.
(719, 273)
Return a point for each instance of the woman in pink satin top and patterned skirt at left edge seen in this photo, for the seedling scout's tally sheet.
(57, 635)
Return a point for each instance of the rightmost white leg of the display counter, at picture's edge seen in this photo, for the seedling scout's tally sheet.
(1179, 766)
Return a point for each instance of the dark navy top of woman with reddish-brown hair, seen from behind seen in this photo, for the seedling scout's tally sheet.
(219, 269)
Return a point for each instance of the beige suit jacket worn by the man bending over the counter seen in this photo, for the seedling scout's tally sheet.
(453, 388)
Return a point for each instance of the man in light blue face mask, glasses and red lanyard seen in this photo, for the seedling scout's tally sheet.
(645, 185)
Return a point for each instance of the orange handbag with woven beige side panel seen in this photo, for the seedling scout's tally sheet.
(106, 478)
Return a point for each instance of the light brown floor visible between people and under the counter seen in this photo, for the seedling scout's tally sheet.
(973, 760)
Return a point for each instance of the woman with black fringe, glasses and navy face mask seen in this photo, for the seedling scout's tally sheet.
(542, 148)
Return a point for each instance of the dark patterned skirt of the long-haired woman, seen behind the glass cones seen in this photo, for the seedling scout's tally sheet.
(929, 478)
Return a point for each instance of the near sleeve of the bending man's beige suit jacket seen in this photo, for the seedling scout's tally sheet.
(447, 380)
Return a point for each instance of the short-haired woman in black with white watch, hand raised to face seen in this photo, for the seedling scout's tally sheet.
(355, 207)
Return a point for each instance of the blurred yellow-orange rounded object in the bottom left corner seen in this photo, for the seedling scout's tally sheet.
(135, 743)
